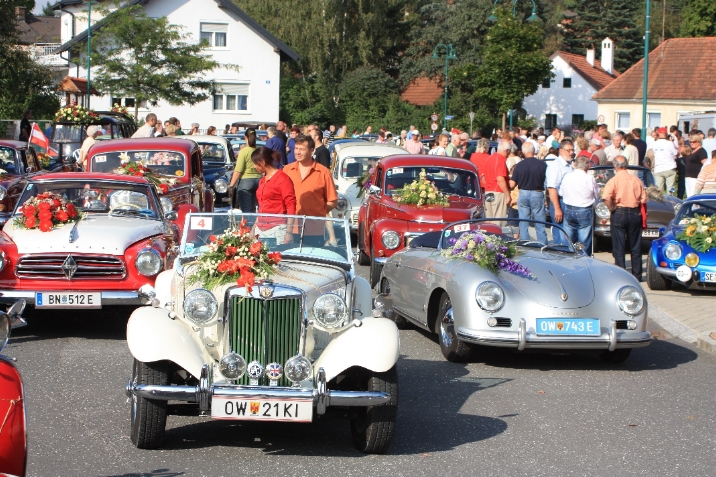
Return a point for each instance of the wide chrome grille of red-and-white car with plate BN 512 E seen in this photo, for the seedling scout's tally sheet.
(50, 266)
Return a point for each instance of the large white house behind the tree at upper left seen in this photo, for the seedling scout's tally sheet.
(250, 94)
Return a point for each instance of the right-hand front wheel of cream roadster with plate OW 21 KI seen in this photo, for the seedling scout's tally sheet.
(374, 427)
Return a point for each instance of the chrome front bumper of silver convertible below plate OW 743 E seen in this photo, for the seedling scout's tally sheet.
(522, 339)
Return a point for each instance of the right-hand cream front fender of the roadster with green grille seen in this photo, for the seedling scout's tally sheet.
(375, 345)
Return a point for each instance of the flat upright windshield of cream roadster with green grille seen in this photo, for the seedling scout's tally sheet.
(310, 238)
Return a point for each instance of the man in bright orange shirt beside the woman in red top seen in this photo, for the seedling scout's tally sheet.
(315, 192)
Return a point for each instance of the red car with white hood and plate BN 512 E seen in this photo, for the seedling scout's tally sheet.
(105, 241)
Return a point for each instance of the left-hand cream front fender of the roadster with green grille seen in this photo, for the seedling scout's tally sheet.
(153, 336)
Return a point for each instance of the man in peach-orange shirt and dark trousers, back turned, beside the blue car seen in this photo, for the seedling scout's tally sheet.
(624, 195)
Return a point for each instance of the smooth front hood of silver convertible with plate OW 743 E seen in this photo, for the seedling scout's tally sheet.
(555, 275)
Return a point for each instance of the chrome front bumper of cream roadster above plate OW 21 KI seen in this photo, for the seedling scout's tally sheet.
(202, 393)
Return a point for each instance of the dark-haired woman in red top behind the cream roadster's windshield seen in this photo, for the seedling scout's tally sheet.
(275, 195)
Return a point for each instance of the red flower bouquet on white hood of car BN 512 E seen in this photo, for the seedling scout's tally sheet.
(47, 211)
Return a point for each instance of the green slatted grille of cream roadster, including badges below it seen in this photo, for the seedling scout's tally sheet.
(267, 331)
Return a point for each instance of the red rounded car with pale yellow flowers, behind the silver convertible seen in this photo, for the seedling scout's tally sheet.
(386, 226)
